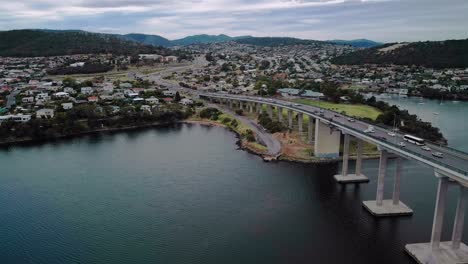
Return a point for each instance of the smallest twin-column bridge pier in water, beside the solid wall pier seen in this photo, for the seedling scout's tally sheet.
(344, 177)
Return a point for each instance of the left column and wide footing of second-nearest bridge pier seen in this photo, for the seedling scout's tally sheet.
(381, 207)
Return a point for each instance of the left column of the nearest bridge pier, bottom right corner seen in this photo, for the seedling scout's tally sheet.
(439, 213)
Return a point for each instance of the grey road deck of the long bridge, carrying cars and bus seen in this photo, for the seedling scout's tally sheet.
(454, 162)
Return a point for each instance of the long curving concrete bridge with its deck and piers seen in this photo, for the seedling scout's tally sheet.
(328, 129)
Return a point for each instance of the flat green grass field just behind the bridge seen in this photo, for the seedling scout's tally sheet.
(363, 111)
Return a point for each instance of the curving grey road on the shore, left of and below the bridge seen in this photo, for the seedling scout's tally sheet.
(273, 145)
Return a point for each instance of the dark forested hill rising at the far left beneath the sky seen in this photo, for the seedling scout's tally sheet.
(29, 43)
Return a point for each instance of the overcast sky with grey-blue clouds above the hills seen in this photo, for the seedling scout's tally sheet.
(380, 20)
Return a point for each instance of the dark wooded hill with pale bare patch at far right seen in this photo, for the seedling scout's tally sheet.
(434, 54)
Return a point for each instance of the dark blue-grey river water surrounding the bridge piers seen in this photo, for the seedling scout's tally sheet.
(186, 194)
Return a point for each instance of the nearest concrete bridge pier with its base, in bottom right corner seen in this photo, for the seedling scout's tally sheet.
(438, 252)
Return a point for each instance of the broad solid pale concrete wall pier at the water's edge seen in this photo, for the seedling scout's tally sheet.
(327, 141)
